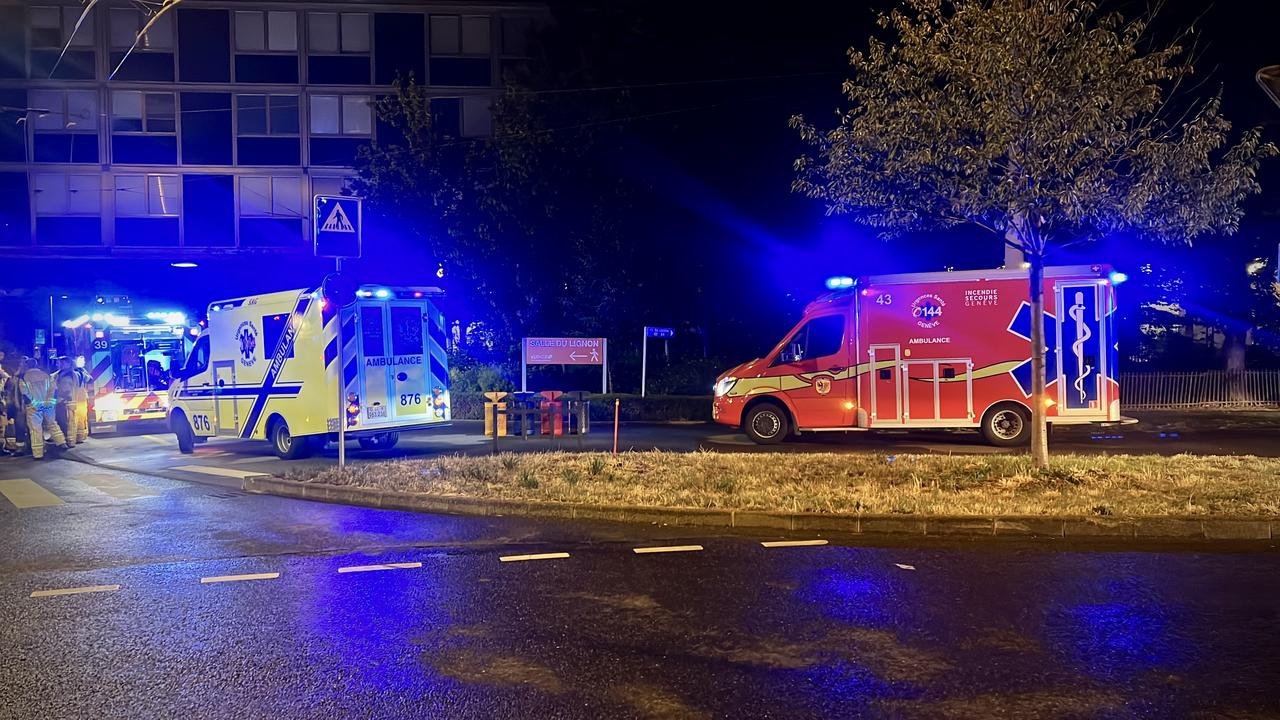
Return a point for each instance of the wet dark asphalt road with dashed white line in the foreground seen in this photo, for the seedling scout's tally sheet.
(735, 630)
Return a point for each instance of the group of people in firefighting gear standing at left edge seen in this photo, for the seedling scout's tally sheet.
(35, 403)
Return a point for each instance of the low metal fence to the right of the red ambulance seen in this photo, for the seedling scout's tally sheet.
(1219, 389)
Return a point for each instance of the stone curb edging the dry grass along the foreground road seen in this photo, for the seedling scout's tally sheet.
(957, 527)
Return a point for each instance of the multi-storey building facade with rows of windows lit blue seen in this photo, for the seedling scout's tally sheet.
(212, 135)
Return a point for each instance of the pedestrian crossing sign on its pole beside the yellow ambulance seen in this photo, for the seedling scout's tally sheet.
(337, 231)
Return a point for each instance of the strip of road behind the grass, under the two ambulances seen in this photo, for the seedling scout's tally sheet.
(227, 461)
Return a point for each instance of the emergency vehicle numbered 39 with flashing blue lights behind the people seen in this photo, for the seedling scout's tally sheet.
(130, 359)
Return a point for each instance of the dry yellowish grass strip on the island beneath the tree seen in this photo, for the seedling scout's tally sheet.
(924, 485)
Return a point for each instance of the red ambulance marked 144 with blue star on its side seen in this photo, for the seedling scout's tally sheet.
(934, 350)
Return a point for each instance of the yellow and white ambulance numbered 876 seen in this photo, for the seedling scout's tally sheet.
(268, 368)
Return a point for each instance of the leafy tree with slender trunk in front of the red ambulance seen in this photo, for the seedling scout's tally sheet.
(1046, 122)
